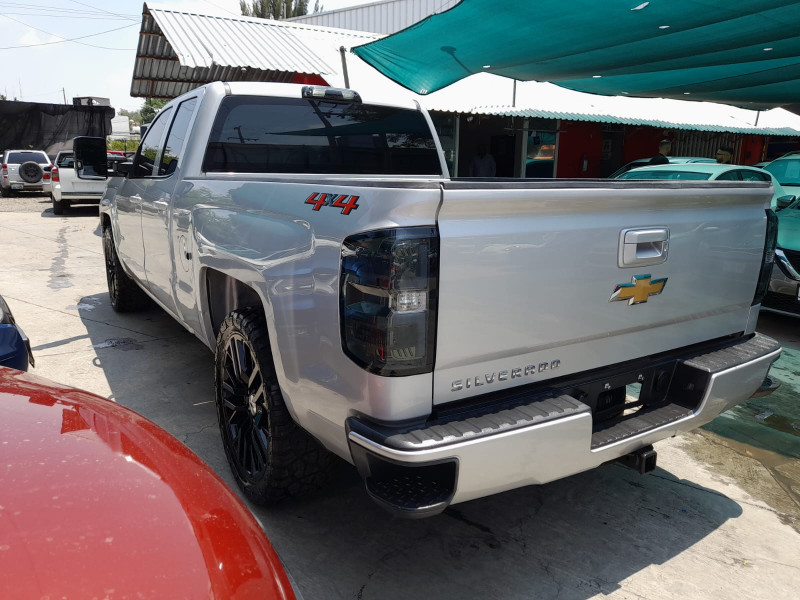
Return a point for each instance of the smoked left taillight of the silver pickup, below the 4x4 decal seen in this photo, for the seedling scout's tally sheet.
(389, 294)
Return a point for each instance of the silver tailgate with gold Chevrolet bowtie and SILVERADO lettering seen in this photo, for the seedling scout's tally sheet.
(538, 280)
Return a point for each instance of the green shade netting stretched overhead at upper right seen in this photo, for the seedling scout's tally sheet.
(741, 52)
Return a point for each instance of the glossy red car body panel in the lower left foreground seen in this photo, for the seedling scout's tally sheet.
(97, 501)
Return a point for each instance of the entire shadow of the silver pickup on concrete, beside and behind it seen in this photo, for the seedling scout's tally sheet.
(571, 539)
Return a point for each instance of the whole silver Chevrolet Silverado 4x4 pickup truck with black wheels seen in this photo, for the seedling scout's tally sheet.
(452, 338)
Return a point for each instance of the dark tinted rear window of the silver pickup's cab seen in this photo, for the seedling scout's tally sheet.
(279, 135)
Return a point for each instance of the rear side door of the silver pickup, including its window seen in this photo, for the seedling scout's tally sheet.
(161, 264)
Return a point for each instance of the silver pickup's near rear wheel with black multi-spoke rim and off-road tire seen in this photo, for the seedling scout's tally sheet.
(271, 457)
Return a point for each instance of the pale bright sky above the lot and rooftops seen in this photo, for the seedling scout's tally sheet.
(39, 66)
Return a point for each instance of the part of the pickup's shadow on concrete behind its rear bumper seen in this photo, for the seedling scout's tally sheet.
(572, 539)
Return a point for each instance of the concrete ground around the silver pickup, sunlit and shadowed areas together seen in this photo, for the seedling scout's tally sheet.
(719, 518)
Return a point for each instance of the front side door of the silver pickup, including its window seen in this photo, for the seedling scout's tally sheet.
(131, 193)
